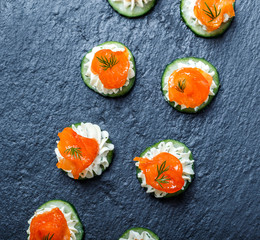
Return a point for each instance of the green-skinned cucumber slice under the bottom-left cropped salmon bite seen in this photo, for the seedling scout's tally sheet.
(68, 208)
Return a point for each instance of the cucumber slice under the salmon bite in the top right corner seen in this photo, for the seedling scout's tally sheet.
(198, 29)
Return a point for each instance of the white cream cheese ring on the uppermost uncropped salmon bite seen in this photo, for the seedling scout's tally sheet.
(94, 78)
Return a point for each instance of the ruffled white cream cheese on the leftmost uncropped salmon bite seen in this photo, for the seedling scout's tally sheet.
(90, 130)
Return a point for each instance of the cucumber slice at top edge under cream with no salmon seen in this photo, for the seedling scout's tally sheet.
(136, 12)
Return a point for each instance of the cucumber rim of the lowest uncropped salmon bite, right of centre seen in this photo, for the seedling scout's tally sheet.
(175, 144)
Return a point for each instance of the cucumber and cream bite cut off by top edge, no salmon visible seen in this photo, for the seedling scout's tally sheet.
(132, 8)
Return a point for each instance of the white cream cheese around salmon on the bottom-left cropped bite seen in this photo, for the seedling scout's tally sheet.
(70, 222)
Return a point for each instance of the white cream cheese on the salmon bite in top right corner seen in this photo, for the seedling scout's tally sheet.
(188, 10)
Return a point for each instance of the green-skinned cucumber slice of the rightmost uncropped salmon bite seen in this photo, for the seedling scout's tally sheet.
(170, 68)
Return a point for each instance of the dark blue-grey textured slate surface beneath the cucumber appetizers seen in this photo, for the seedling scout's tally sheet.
(42, 44)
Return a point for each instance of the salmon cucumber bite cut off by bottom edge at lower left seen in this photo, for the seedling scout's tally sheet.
(55, 220)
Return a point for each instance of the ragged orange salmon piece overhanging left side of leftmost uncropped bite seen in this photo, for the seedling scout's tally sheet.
(78, 152)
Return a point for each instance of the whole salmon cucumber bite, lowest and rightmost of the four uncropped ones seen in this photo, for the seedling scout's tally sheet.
(165, 169)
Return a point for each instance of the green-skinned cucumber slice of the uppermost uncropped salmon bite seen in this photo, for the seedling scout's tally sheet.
(125, 89)
